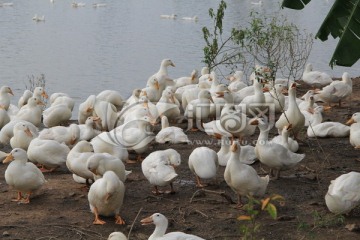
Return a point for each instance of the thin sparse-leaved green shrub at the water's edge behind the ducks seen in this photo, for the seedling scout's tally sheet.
(270, 41)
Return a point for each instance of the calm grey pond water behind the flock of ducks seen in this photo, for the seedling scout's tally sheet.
(85, 50)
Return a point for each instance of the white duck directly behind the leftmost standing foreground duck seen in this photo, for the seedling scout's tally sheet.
(22, 136)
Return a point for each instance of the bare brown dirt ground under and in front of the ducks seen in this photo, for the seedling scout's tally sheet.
(60, 209)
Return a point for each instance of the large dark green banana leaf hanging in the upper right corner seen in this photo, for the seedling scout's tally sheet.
(343, 21)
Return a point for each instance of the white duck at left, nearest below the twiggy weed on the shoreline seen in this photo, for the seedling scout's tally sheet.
(31, 112)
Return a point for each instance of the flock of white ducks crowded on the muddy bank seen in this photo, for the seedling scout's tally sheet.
(96, 149)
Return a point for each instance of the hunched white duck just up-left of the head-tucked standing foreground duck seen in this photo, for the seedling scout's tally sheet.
(76, 160)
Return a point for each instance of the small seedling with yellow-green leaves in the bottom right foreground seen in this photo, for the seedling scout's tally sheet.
(253, 212)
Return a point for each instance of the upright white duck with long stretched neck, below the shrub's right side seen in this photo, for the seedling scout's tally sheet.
(292, 115)
